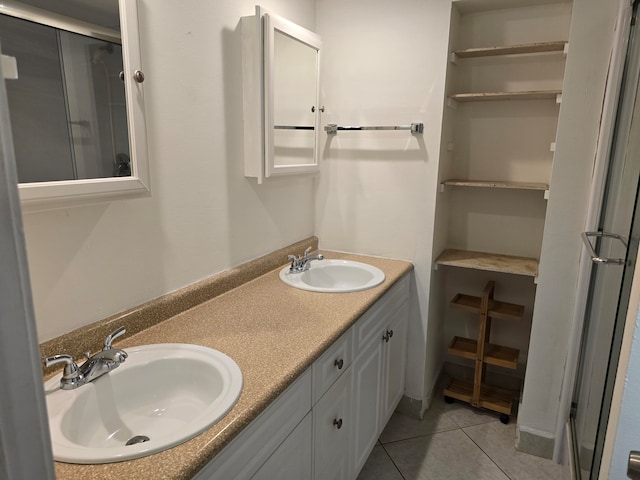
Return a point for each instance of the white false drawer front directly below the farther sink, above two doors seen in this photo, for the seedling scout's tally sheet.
(371, 325)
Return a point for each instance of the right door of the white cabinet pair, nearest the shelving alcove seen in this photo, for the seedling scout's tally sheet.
(395, 362)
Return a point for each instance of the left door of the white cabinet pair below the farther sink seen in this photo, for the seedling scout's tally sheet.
(366, 405)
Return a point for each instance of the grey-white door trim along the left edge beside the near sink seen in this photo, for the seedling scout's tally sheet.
(24, 436)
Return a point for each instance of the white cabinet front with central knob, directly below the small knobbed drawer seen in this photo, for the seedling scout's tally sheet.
(332, 431)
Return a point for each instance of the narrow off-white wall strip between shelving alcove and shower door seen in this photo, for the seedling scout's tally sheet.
(590, 45)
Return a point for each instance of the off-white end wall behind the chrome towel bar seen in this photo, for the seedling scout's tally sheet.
(384, 63)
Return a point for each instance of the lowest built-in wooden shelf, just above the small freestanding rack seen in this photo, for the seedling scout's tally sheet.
(491, 262)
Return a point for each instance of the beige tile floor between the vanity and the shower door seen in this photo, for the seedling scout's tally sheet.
(454, 441)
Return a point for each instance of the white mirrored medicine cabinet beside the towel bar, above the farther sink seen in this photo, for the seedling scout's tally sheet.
(281, 75)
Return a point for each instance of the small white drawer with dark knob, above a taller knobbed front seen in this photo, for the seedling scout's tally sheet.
(328, 368)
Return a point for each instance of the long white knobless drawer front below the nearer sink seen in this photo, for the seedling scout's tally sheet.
(242, 458)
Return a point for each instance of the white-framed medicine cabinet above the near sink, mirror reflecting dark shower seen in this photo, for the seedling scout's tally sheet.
(75, 97)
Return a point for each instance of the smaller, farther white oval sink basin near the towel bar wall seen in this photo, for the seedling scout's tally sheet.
(334, 276)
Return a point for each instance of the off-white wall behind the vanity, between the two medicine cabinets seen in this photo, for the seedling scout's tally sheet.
(203, 217)
